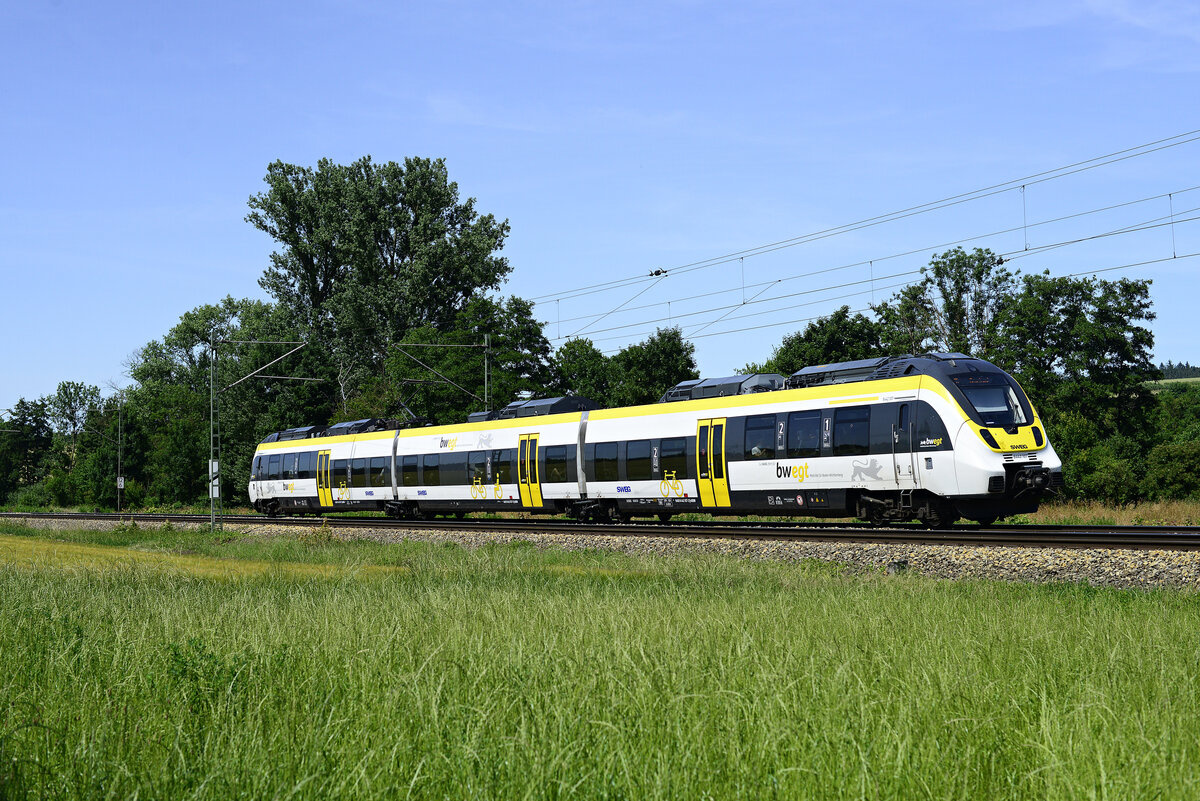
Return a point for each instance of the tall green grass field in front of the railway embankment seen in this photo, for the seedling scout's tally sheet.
(159, 664)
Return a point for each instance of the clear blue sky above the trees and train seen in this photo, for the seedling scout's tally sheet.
(616, 138)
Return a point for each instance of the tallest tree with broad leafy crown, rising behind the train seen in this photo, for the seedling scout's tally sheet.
(370, 252)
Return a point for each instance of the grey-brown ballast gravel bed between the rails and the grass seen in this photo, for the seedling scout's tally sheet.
(1096, 567)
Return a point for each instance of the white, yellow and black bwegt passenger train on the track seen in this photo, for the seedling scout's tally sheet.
(934, 438)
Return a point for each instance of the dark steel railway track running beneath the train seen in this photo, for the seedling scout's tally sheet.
(1145, 538)
